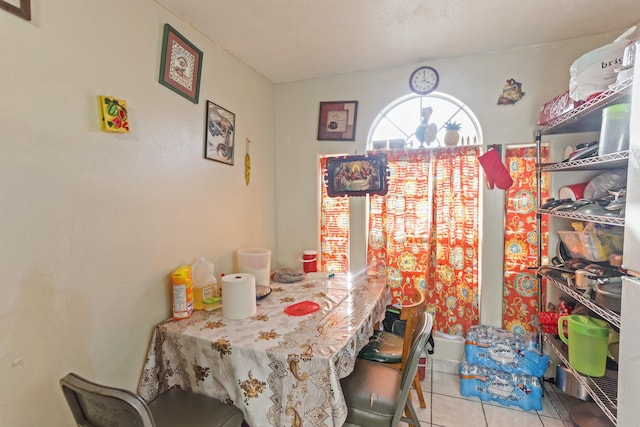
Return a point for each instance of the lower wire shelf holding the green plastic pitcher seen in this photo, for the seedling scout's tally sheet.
(603, 390)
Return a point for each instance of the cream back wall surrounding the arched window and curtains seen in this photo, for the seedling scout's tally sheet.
(476, 80)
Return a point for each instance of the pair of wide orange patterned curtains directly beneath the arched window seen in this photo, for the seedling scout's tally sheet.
(424, 232)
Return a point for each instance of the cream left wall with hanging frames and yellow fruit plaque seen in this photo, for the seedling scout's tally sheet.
(92, 223)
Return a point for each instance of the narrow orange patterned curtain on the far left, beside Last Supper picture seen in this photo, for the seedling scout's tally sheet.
(334, 229)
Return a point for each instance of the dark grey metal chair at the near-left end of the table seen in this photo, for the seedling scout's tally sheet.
(95, 405)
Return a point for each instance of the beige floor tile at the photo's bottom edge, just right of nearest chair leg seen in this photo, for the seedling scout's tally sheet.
(456, 412)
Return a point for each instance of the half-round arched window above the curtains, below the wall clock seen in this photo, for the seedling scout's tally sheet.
(395, 127)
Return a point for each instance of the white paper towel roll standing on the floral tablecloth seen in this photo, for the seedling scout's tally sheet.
(238, 296)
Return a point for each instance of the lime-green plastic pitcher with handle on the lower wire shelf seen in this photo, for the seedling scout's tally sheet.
(588, 342)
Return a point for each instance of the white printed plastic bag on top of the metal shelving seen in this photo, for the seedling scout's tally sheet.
(594, 71)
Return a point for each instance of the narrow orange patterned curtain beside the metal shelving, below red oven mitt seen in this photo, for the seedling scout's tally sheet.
(520, 295)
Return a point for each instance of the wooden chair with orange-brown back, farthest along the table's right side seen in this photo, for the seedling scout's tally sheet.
(393, 349)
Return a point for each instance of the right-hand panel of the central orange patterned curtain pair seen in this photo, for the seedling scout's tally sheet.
(453, 274)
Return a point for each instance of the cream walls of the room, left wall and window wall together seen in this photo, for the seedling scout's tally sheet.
(92, 223)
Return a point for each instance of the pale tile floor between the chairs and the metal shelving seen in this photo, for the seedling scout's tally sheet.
(446, 407)
